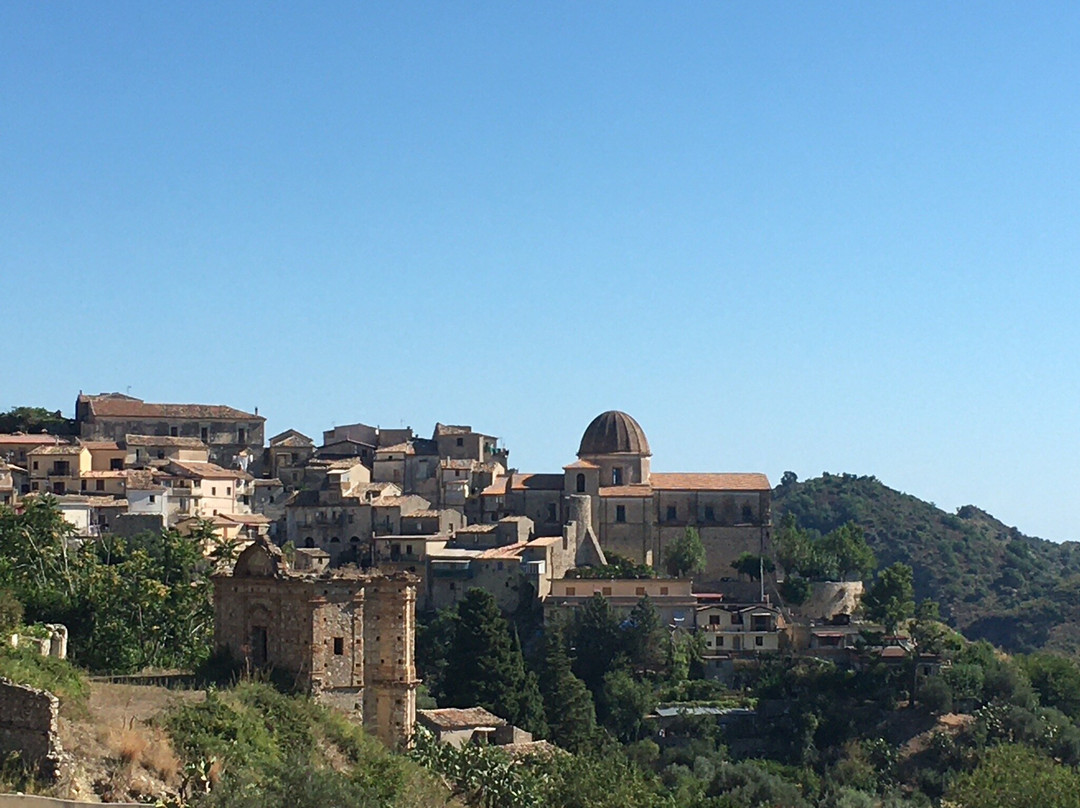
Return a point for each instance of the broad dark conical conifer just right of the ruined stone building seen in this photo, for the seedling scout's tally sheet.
(485, 667)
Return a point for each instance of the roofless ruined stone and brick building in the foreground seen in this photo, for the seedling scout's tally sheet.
(348, 638)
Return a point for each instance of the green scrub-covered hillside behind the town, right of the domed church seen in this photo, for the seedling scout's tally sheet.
(993, 583)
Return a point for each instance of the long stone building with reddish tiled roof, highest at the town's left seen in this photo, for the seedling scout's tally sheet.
(229, 434)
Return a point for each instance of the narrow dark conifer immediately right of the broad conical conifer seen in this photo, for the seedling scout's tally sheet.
(568, 704)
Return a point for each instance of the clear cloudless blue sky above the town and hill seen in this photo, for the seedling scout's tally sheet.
(809, 237)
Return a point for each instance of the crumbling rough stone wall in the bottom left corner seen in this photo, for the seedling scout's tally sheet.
(29, 726)
